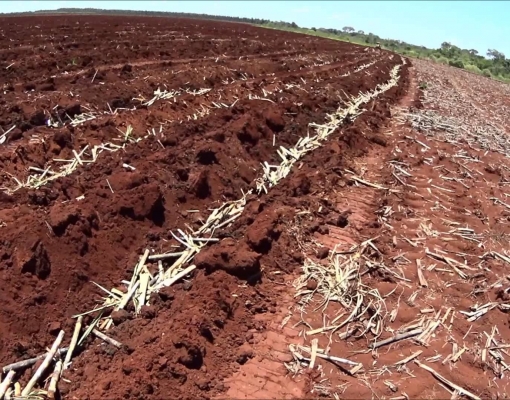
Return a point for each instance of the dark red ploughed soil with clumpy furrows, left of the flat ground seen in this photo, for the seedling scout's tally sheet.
(196, 333)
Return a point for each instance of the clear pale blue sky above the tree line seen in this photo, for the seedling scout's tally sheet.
(469, 24)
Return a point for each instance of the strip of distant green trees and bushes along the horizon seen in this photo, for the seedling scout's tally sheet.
(493, 64)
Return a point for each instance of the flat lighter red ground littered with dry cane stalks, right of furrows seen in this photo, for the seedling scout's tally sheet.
(426, 311)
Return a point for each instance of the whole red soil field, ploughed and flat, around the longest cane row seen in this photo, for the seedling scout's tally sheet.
(78, 88)
